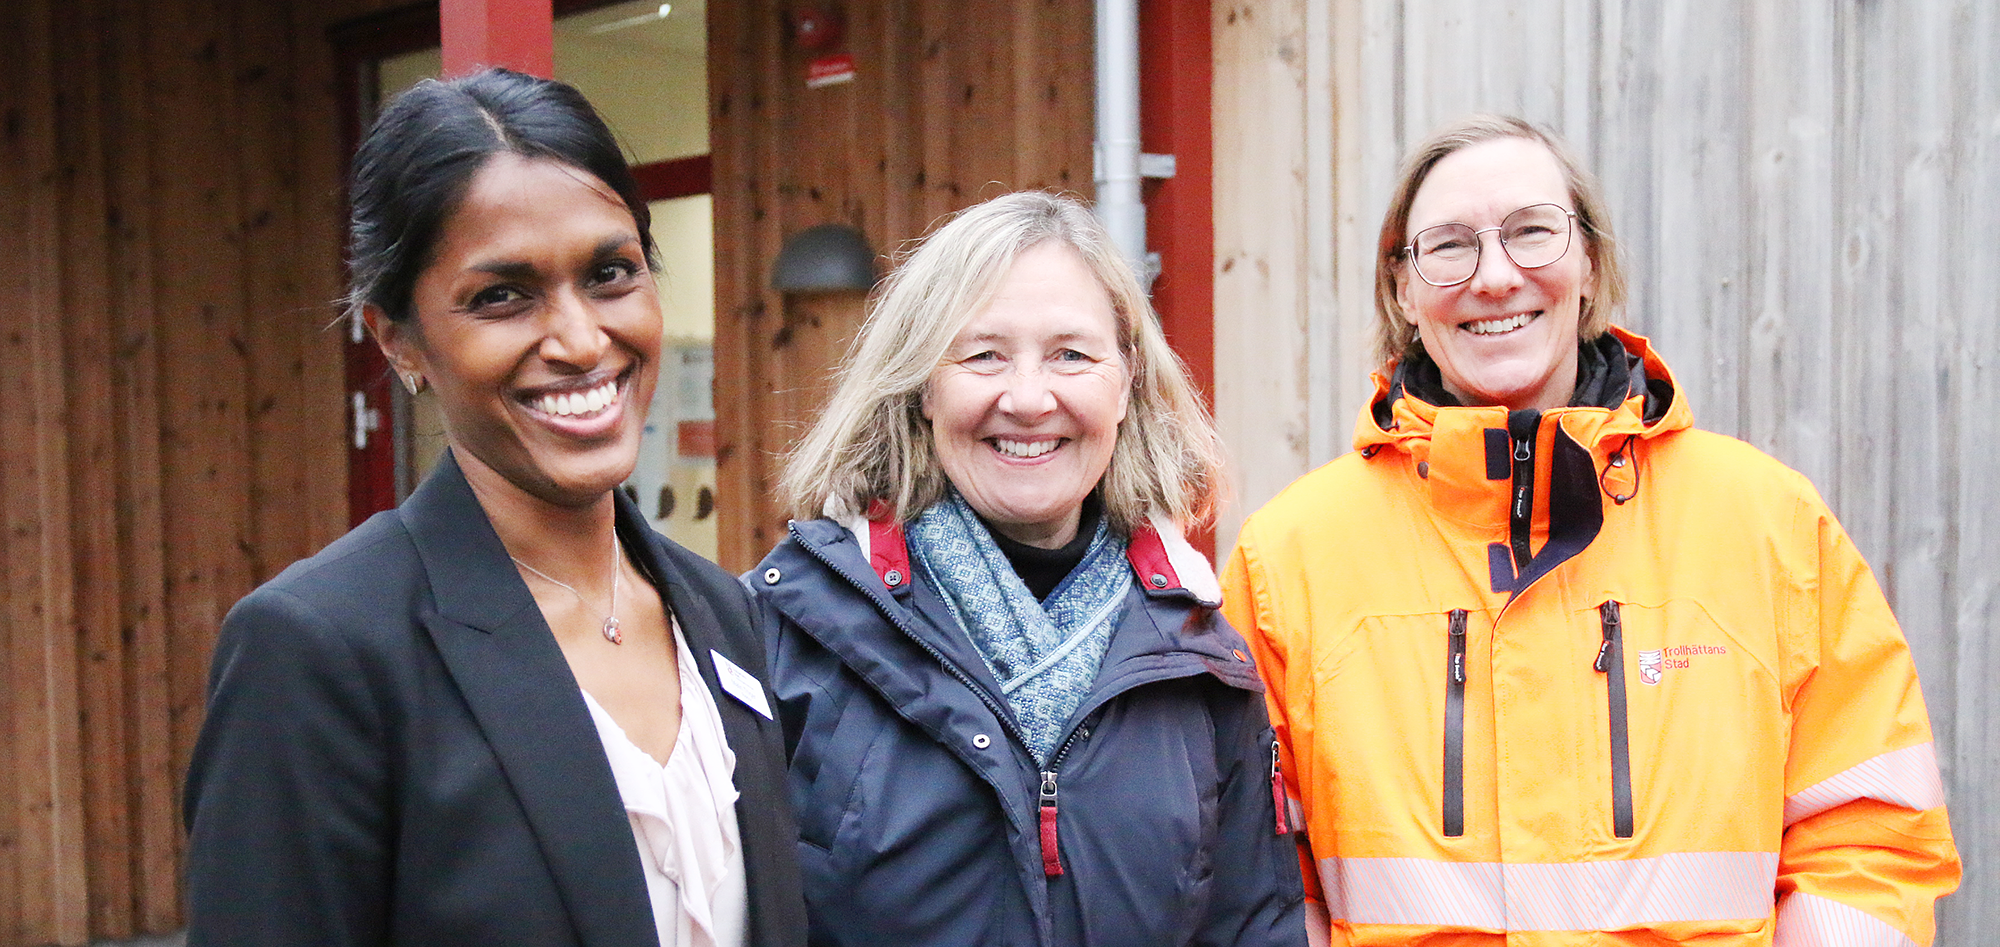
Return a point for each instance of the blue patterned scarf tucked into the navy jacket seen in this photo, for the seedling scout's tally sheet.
(1045, 654)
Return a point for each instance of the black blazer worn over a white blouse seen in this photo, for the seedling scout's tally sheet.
(397, 752)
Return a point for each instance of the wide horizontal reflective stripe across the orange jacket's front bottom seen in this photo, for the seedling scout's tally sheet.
(1577, 896)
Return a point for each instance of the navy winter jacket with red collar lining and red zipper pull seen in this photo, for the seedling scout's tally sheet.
(921, 810)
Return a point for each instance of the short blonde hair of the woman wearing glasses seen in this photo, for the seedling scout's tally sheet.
(1395, 337)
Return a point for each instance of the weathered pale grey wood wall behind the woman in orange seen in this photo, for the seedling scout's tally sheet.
(1809, 201)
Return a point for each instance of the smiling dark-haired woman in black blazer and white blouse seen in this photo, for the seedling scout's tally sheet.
(411, 736)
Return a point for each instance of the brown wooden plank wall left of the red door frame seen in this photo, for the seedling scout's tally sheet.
(171, 223)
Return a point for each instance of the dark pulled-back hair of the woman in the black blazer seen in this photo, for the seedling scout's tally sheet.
(419, 159)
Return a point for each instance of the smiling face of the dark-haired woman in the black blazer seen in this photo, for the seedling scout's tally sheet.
(539, 327)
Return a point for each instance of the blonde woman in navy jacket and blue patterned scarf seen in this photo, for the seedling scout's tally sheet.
(1015, 716)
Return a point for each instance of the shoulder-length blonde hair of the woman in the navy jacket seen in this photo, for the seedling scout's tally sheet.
(875, 447)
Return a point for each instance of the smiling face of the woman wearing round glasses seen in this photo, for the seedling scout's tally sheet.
(1507, 337)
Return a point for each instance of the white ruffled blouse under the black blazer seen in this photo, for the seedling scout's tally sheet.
(685, 818)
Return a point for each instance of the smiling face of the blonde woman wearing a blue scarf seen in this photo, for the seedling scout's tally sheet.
(1025, 407)
